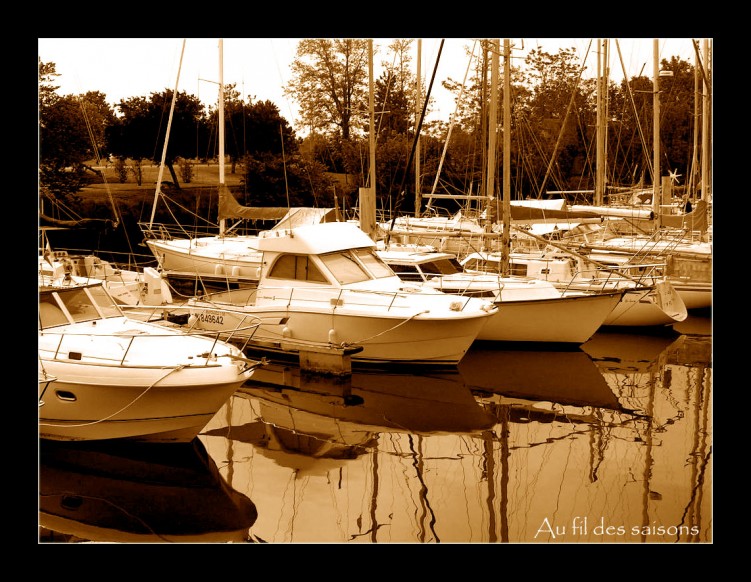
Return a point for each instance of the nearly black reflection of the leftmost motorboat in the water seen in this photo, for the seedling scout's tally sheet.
(140, 493)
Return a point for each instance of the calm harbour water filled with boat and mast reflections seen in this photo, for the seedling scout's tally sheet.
(608, 444)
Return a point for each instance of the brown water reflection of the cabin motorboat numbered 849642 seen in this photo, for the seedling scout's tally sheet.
(312, 424)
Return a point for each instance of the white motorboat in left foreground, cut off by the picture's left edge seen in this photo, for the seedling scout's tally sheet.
(121, 378)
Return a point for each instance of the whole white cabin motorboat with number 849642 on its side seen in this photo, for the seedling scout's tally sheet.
(323, 285)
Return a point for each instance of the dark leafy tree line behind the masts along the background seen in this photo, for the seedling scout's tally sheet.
(553, 129)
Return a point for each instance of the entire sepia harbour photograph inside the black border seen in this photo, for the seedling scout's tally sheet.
(375, 291)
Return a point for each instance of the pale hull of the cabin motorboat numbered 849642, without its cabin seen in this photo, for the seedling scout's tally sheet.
(391, 328)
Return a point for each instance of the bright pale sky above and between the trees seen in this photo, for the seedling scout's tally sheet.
(131, 67)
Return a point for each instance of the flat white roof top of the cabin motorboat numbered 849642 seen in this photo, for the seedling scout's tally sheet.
(315, 239)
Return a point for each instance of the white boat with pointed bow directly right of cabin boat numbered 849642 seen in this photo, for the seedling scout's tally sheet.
(529, 310)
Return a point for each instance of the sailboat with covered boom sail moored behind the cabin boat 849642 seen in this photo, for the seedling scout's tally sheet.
(227, 258)
